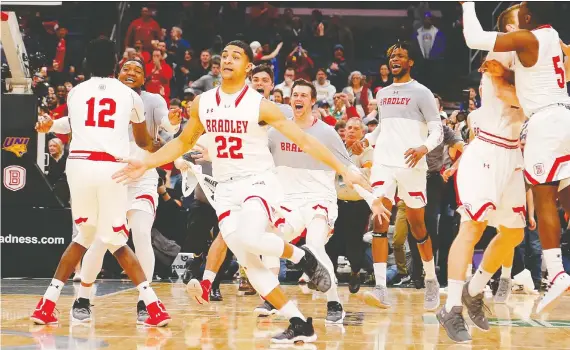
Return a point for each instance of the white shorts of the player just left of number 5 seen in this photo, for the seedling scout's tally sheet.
(490, 182)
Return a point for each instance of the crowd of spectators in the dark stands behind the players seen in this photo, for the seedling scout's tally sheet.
(180, 46)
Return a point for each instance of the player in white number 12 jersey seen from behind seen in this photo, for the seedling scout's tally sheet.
(100, 111)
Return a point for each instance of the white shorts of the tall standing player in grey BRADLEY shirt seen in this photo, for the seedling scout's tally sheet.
(410, 183)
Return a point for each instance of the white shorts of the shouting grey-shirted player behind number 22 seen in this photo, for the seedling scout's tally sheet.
(299, 213)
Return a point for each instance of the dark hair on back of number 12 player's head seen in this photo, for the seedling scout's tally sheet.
(101, 58)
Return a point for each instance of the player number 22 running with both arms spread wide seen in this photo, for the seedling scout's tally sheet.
(236, 116)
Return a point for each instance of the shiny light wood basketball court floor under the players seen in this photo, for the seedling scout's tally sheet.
(230, 324)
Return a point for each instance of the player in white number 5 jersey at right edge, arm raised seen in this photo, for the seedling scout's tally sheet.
(541, 90)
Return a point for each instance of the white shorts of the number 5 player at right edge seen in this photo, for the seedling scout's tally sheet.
(547, 149)
